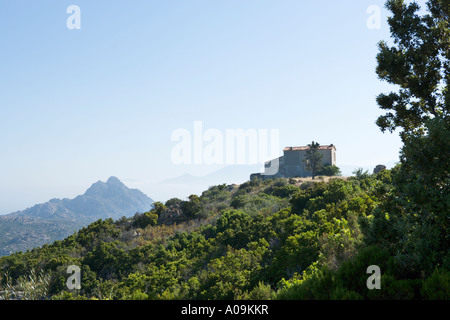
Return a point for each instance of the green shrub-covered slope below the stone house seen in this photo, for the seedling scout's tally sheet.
(273, 239)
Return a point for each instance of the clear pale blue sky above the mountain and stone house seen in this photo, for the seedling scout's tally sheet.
(77, 106)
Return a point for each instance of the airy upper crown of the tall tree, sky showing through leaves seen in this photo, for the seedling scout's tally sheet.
(418, 63)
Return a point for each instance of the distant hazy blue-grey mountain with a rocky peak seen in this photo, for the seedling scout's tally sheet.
(59, 218)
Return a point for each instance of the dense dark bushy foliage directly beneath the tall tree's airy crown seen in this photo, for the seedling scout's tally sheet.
(422, 189)
